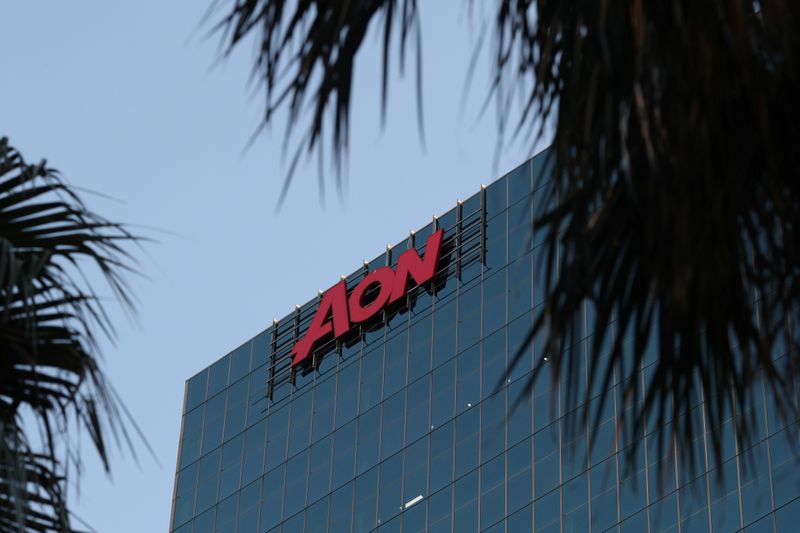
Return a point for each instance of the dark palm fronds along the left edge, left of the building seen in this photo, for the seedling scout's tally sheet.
(49, 375)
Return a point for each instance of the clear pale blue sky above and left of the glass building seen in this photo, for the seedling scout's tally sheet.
(129, 99)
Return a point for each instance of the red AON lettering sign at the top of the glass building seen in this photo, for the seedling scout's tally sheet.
(337, 313)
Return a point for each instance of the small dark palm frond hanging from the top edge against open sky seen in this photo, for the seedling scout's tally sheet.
(306, 51)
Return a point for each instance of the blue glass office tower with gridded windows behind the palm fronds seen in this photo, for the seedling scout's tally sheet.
(412, 423)
